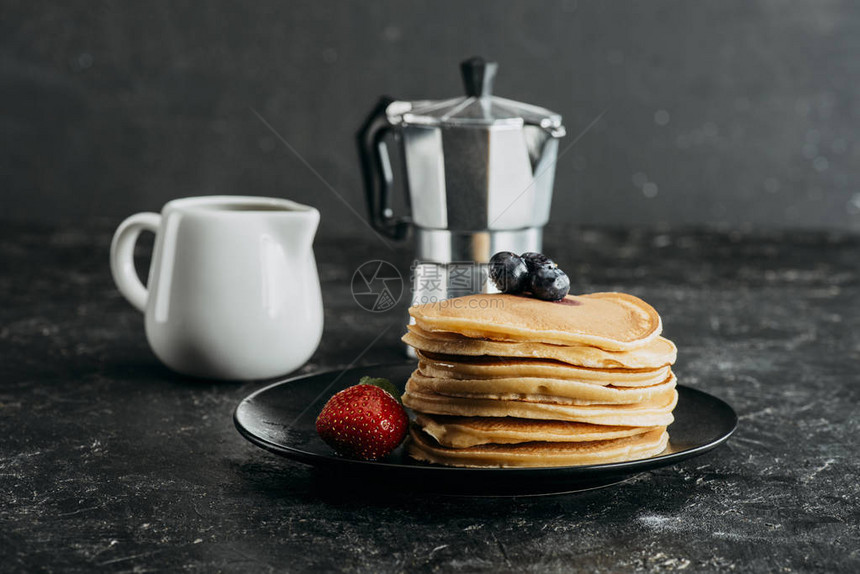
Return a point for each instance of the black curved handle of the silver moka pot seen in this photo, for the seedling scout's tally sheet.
(376, 169)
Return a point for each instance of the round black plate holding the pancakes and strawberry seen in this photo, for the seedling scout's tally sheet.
(280, 418)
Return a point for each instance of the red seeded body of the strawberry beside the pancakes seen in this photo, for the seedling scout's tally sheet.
(363, 422)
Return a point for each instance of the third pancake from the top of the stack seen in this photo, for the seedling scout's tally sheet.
(454, 367)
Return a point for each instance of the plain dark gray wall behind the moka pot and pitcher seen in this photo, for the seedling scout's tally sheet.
(740, 113)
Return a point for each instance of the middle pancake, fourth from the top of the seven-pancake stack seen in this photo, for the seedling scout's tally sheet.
(556, 391)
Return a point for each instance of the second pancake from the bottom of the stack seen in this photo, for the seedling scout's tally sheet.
(462, 432)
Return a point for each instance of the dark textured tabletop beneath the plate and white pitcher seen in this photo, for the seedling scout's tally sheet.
(110, 462)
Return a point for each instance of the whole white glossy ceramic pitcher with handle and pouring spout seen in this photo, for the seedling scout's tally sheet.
(233, 291)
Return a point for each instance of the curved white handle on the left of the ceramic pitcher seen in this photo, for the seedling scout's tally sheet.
(122, 257)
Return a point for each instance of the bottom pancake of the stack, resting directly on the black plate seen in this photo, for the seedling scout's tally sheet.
(539, 454)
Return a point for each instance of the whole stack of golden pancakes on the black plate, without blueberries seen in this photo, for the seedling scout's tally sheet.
(506, 380)
